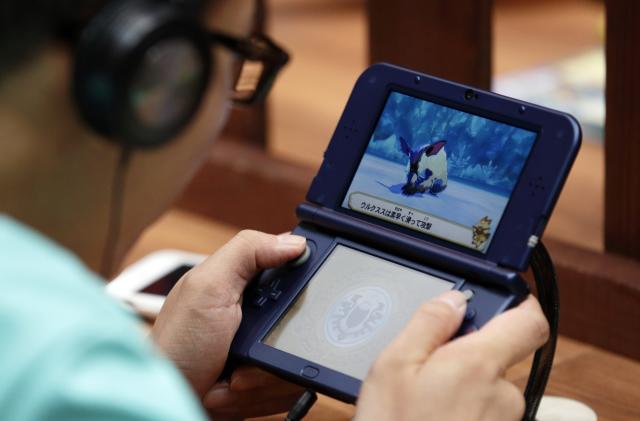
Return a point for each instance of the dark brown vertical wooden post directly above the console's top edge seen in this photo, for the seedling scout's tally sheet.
(450, 39)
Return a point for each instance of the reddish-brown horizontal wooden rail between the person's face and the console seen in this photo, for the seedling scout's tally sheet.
(243, 186)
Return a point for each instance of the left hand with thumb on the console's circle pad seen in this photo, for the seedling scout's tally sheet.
(202, 313)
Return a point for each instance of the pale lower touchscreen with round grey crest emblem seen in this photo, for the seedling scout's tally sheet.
(353, 306)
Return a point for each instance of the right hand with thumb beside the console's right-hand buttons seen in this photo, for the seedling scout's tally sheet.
(420, 376)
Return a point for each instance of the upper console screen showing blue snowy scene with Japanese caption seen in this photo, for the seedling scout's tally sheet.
(439, 171)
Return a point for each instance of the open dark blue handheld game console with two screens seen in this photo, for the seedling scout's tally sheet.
(427, 186)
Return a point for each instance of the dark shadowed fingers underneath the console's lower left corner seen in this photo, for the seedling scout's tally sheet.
(250, 392)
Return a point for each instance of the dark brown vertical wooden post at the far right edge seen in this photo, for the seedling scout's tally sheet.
(622, 129)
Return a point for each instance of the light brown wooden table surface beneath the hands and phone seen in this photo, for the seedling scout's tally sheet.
(608, 383)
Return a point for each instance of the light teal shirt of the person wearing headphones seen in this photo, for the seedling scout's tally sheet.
(67, 351)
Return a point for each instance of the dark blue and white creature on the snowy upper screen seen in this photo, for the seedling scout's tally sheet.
(427, 168)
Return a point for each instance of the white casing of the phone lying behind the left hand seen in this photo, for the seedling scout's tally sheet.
(127, 286)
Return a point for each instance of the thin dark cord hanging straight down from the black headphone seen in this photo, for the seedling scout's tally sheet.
(114, 223)
